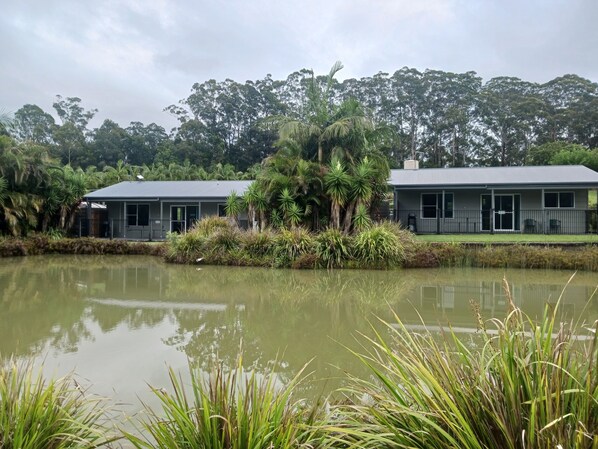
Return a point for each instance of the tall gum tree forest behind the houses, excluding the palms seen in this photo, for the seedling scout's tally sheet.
(441, 118)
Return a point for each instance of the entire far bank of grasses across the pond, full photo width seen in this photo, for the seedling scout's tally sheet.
(216, 241)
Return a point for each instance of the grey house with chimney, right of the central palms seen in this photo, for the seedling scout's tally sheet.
(547, 199)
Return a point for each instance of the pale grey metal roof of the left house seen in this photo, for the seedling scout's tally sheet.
(169, 189)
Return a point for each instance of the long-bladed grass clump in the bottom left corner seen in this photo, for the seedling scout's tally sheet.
(54, 414)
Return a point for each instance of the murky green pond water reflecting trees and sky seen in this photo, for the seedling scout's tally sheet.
(118, 321)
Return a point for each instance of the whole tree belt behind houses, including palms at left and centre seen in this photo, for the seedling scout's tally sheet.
(319, 148)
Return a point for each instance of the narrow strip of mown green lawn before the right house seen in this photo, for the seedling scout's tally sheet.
(510, 238)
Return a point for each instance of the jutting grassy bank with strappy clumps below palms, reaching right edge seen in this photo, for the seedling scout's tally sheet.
(384, 246)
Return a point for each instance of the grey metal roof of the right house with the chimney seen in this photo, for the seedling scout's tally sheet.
(464, 177)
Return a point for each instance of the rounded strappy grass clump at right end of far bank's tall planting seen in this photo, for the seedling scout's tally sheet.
(378, 247)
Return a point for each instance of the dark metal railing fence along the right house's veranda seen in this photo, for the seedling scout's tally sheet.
(528, 221)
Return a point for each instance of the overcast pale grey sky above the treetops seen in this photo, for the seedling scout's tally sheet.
(131, 58)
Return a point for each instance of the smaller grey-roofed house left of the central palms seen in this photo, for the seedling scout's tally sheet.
(147, 210)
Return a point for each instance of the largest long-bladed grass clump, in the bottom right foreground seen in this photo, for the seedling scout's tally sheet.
(523, 385)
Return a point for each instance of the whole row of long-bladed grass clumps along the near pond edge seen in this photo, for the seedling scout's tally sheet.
(518, 384)
